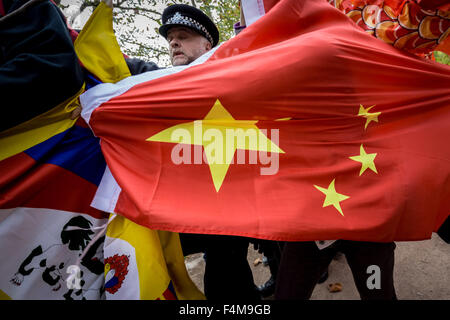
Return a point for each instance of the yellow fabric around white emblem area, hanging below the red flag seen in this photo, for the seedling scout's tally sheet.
(157, 264)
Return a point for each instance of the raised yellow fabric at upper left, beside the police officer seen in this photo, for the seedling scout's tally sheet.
(97, 47)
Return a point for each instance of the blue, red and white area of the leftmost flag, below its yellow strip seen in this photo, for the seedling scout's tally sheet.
(46, 222)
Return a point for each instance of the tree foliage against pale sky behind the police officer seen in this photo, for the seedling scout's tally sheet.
(136, 22)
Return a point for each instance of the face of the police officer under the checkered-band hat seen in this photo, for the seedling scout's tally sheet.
(186, 45)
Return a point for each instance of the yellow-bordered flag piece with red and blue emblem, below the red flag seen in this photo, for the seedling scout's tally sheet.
(144, 264)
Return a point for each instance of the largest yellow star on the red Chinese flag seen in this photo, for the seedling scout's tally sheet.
(220, 135)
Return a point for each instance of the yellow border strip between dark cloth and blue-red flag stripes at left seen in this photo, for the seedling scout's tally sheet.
(38, 129)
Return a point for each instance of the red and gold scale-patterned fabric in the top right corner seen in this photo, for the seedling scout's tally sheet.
(415, 26)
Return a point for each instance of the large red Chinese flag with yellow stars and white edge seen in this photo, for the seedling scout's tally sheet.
(358, 133)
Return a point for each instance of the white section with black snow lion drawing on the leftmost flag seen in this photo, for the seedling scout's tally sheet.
(46, 267)
